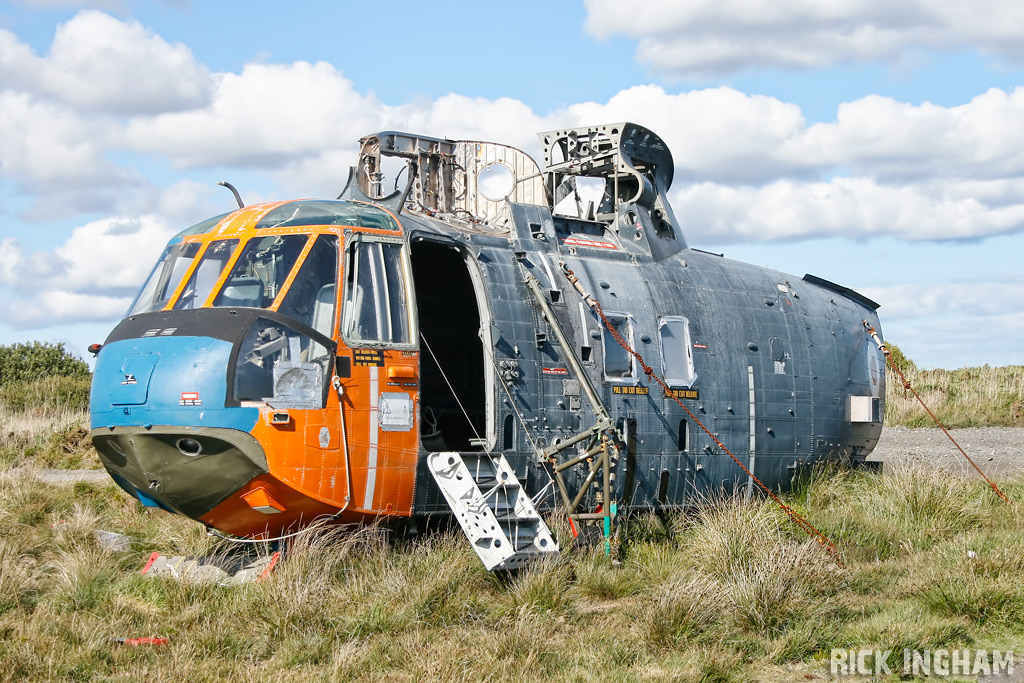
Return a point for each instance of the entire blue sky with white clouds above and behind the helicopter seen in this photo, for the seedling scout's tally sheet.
(874, 144)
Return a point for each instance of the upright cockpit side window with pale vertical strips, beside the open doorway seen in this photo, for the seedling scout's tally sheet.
(376, 309)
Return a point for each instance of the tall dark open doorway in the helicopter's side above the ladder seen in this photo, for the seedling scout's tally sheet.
(453, 386)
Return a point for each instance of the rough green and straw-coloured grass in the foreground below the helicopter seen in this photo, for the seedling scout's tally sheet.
(734, 593)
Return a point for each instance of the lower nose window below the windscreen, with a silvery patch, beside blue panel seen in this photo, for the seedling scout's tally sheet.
(282, 367)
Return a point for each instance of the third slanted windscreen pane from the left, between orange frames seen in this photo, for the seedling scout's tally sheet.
(261, 272)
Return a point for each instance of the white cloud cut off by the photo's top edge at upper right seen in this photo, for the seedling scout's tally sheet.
(714, 37)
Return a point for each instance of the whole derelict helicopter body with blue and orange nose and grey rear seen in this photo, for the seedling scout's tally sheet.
(295, 361)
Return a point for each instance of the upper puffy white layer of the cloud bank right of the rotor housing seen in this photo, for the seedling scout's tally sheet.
(728, 137)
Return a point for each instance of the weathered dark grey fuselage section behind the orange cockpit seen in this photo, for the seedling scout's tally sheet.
(784, 373)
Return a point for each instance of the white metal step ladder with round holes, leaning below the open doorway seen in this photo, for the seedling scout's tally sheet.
(493, 508)
